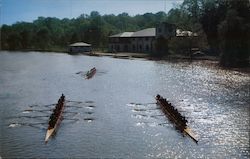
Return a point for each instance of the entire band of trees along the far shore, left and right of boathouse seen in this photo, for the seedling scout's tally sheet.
(223, 28)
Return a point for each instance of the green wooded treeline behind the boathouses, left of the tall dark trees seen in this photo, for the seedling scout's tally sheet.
(51, 33)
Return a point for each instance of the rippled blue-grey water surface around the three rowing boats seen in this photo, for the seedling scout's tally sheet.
(113, 114)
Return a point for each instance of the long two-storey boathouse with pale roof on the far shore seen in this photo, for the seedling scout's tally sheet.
(141, 41)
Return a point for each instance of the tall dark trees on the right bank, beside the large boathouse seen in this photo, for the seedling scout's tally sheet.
(222, 25)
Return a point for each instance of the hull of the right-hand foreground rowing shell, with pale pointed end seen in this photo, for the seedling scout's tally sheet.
(186, 130)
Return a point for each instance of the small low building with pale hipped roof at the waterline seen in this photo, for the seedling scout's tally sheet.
(79, 47)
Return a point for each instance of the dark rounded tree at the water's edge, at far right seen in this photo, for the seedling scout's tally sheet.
(234, 40)
